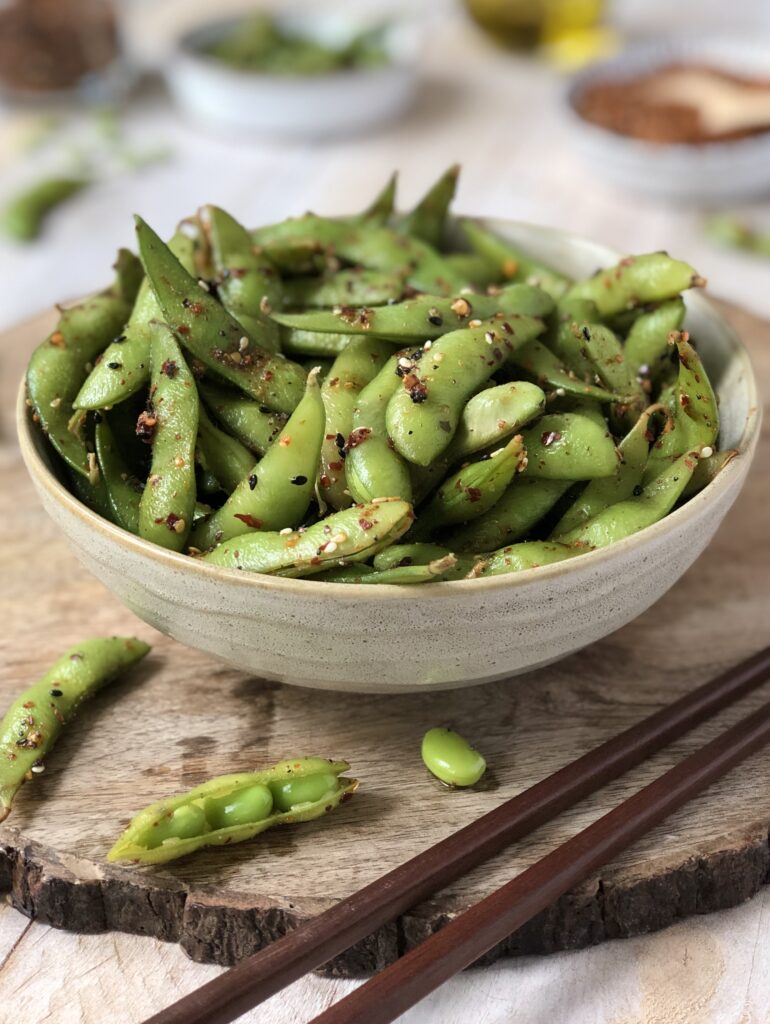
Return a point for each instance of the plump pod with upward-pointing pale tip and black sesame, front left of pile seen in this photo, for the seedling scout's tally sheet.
(278, 491)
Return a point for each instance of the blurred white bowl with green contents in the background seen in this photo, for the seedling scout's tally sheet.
(284, 90)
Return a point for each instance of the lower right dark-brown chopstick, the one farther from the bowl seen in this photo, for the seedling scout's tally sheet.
(474, 933)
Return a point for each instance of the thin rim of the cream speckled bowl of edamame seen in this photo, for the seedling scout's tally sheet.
(311, 588)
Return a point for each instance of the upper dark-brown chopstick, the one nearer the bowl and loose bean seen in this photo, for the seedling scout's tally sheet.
(313, 944)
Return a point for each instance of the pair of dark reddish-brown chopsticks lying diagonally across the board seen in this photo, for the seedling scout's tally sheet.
(474, 933)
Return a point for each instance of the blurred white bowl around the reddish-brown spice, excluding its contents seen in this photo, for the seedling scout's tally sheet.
(712, 173)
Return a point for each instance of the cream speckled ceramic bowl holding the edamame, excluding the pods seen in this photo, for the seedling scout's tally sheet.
(392, 639)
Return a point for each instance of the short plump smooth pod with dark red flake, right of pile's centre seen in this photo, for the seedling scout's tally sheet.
(570, 447)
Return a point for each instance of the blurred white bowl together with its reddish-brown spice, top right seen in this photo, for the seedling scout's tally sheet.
(686, 119)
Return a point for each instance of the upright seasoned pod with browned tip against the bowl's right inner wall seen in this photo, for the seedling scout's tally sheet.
(696, 423)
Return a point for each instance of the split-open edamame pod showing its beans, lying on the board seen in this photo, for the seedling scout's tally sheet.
(234, 809)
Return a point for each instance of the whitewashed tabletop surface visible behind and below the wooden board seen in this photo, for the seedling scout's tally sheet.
(501, 119)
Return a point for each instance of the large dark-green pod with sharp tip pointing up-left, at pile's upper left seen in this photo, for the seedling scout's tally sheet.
(212, 335)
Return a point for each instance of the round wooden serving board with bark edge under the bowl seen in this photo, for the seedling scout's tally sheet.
(183, 718)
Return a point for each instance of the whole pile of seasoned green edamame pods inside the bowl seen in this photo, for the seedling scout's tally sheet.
(377, 399)
